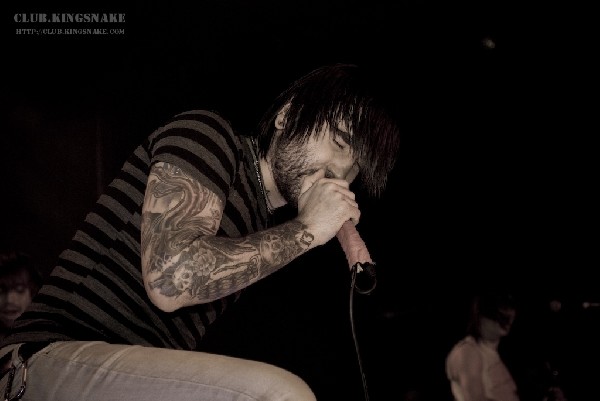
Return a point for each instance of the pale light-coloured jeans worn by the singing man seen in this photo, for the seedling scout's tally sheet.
(97, 371)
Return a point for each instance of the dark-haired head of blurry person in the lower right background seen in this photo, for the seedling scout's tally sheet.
(491, 316)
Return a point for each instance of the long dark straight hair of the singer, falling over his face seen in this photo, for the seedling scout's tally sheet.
(334, 93)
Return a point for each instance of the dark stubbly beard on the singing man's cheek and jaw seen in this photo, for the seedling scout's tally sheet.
(289, 164)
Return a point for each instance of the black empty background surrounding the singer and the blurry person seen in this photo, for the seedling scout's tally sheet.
(495, 183)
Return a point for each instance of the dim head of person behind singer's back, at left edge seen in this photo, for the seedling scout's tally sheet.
(20, 280)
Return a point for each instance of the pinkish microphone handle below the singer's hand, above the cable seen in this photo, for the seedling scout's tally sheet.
(358, 258)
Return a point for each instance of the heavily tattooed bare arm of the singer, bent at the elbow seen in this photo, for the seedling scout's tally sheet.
(184, 263)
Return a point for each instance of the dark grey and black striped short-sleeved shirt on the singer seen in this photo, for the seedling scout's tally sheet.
(96, 290)
